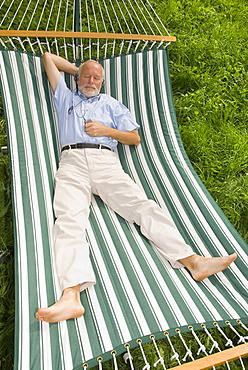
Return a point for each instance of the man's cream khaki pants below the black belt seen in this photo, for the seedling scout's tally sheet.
(83, 172)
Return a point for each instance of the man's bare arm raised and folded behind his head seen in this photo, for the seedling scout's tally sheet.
(53, 65)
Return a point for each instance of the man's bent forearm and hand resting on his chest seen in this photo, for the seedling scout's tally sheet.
(95, 128)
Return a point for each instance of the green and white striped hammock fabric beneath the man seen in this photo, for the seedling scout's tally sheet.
(136, 293)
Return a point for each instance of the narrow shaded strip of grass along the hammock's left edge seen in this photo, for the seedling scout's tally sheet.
(6, 260)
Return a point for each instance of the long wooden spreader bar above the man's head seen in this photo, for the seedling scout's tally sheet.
(85, 35)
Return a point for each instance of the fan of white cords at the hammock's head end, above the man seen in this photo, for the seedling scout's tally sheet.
(126, 17)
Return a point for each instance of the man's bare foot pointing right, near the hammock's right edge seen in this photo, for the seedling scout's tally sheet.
(203, 267)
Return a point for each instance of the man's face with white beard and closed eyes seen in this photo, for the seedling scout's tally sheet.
(90, 79)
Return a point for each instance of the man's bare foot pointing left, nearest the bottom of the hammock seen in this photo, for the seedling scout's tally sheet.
(68, 307)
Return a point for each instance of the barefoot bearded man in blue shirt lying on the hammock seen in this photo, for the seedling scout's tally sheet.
(90, 126)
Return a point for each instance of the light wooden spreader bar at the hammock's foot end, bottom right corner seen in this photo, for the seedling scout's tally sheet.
(216, 359)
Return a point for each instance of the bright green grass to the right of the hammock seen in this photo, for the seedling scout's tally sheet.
(209, 77)
